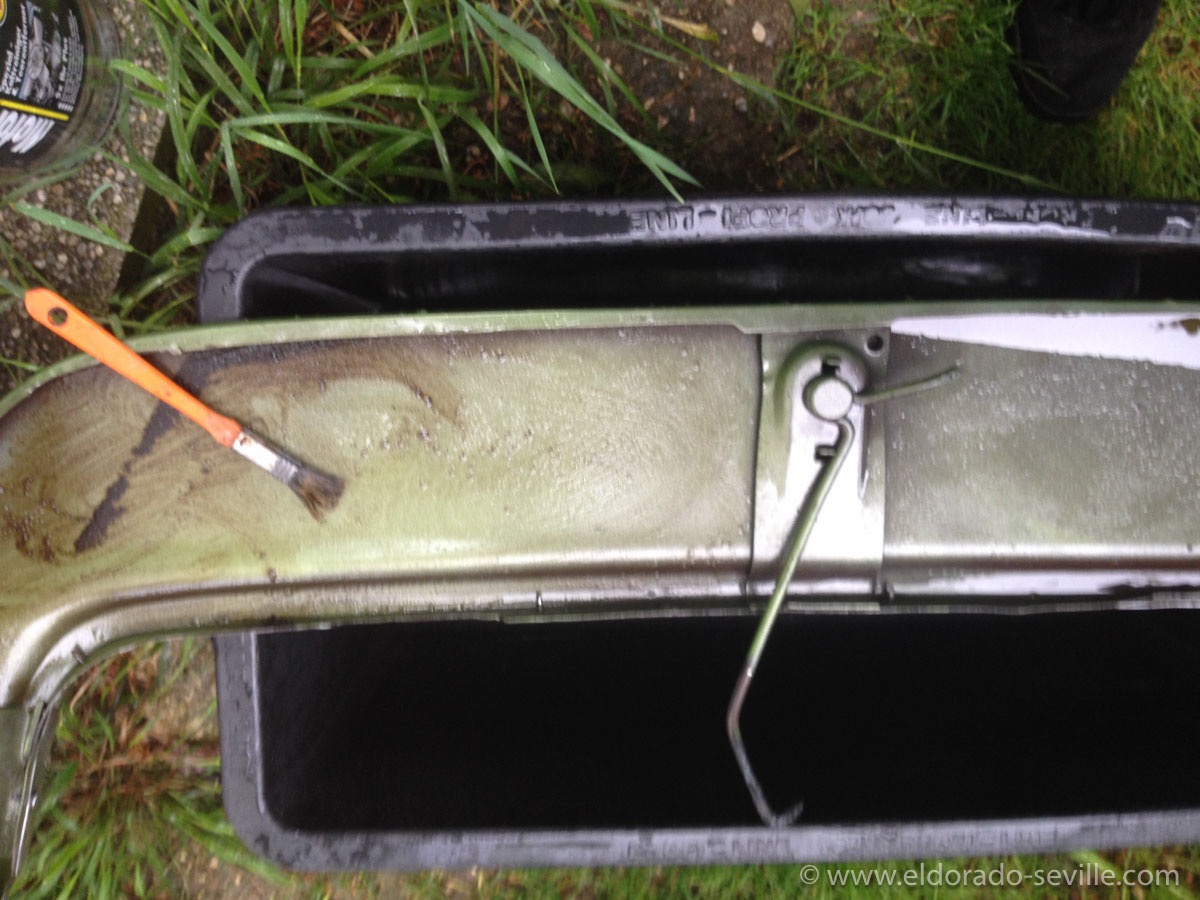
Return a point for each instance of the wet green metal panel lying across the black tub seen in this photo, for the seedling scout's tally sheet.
(611, 458)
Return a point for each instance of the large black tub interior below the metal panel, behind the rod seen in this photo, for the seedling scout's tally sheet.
(622, 724)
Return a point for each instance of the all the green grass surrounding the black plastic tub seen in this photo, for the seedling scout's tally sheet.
(275, 103)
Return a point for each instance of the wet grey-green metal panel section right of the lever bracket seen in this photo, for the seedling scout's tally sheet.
(1077, 466)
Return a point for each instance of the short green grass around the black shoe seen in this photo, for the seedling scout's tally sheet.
(937, 73)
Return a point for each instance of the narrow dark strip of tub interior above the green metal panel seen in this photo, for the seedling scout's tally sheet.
(760, 273)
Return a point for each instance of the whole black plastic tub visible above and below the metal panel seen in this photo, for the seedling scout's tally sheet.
(458, 745)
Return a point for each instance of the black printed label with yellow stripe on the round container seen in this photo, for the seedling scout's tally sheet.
(43, 57)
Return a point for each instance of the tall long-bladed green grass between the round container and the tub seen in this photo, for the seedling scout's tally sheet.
(275, 103)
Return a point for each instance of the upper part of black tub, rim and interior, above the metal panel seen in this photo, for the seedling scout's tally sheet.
(751, 250)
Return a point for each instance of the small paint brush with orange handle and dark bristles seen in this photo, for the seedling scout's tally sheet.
(319, 491)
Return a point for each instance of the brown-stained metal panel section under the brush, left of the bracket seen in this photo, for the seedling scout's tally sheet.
(463, 454)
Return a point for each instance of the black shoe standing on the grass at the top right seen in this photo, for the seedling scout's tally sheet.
(1072, 56)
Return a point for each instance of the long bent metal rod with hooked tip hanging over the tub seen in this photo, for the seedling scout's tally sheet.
(806, 520)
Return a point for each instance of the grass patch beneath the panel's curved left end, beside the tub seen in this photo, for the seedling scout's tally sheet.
(121, 796)
